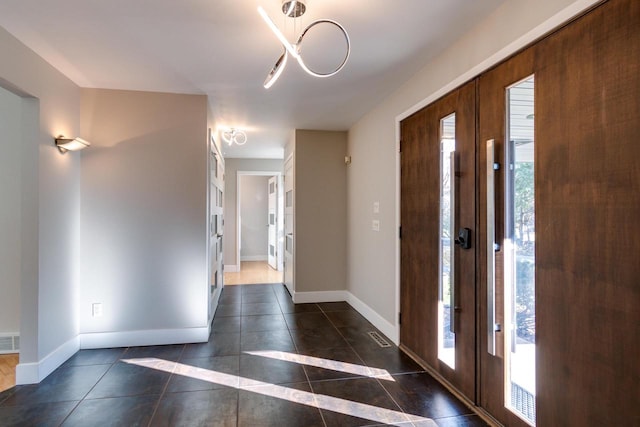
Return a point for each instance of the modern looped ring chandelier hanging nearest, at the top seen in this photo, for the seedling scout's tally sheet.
(294, 9)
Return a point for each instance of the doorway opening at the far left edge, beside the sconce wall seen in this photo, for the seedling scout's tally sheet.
(19, 121)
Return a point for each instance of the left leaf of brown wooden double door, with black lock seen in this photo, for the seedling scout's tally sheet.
(438, 275)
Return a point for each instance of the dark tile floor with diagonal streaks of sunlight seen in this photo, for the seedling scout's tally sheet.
(268, 363)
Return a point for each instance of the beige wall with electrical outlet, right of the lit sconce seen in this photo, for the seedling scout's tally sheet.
(144, 213)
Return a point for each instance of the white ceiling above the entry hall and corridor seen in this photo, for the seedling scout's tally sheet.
(223, 49)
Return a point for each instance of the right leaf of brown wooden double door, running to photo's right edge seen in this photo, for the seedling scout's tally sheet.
(587, 204)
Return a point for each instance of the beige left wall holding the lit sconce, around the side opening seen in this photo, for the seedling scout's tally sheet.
(50, 199)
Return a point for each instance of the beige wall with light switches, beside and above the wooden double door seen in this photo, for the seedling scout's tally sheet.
(372, 275)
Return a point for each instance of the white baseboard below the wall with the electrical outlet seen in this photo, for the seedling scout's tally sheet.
(142, 338)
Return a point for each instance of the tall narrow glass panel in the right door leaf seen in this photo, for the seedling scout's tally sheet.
(519, 263)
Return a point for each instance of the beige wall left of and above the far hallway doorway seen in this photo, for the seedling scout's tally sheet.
(232, 166)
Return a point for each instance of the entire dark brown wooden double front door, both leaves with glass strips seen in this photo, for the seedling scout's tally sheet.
(519, 197)
